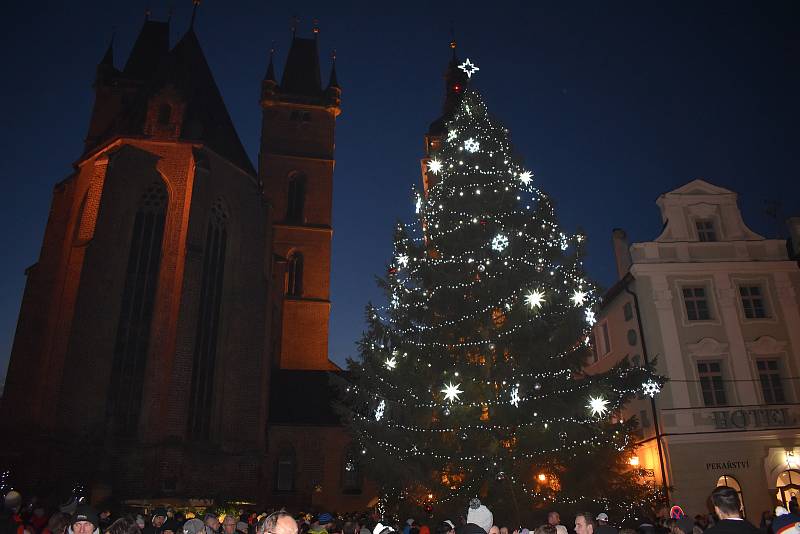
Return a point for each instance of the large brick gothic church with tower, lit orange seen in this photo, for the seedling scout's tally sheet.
(173, 337)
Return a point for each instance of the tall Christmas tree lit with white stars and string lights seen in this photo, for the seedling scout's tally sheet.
(469, 379)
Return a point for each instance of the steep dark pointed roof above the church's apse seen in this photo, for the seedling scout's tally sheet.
(153, 67)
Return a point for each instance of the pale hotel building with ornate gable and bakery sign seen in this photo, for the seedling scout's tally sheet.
(717, 307)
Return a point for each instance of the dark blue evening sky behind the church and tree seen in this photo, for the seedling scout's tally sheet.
(609, 103)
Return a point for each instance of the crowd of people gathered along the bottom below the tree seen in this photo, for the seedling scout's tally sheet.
(76, 517)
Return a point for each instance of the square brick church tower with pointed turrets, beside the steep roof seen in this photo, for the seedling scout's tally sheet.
(296, 163)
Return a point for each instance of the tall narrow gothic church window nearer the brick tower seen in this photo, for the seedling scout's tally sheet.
(208, 323)
